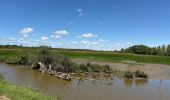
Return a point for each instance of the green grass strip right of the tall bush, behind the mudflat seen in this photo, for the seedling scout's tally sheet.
(118, 57)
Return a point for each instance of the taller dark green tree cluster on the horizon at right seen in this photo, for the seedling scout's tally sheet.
(163, 50)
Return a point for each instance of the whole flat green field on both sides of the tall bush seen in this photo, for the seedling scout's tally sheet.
(10, 56)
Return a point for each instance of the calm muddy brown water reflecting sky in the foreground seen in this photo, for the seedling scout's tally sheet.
(88, 90)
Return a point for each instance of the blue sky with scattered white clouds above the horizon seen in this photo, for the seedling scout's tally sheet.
(85, 24)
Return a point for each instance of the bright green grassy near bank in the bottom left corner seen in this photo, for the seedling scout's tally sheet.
(9, 91)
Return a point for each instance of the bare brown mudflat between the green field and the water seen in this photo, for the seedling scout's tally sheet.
(155, 71)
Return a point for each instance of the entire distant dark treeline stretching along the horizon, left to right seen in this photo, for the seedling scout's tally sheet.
(163, 50)
